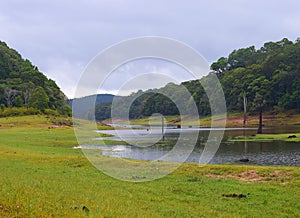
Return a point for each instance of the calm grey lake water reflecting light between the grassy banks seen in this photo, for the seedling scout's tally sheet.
(276, 153)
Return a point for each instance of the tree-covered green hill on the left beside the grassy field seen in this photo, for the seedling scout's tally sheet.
(23, 85)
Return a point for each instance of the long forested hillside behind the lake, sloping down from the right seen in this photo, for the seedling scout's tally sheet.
(268, 78)
